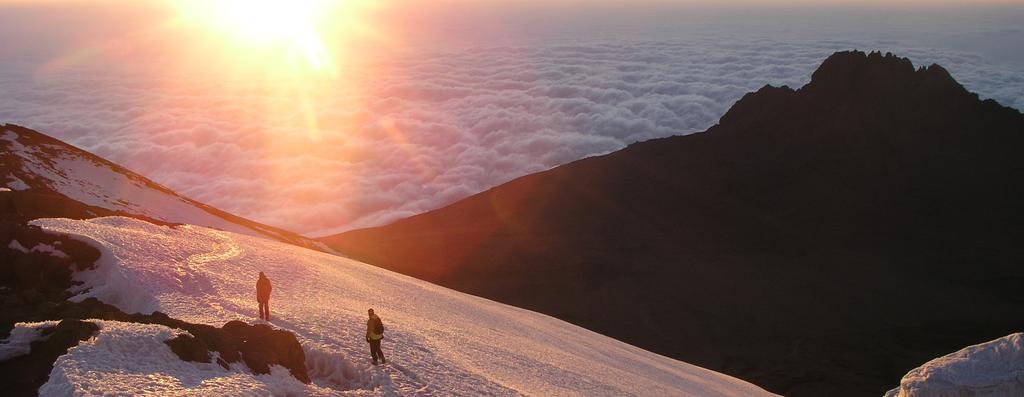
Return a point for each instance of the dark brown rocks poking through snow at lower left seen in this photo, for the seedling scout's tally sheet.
(36, 272)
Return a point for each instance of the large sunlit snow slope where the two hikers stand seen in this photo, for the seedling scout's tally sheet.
(439, 341)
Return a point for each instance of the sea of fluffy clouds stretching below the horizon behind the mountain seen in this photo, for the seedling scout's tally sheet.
(440, 123)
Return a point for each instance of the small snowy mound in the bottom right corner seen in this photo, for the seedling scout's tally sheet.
(991, 370)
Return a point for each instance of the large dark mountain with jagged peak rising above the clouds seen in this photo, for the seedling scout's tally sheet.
(816, 242)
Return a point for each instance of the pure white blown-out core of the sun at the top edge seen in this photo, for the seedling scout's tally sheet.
(293, 26)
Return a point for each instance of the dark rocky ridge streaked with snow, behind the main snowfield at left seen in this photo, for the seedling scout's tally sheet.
(32, 160)
